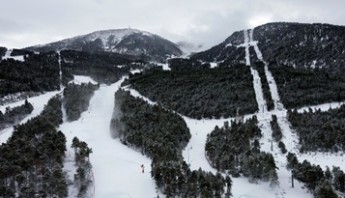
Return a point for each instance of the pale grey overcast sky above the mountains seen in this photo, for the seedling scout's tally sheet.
(208, 22)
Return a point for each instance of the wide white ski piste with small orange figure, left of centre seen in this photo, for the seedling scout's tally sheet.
(116, 167)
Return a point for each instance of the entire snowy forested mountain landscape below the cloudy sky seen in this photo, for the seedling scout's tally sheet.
(228, 121)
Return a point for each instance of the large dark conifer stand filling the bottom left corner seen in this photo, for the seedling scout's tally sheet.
(31, 161)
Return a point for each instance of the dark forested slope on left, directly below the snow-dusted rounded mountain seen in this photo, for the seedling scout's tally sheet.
(47, 71)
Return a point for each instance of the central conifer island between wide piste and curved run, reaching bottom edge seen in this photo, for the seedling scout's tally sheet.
(161, 135)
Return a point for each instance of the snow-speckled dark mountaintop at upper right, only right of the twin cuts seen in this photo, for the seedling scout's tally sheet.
(302, 45)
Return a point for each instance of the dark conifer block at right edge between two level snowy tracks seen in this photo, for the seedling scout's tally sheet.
(320, 131)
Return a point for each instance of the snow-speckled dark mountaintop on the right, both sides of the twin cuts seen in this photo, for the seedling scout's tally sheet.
(294, 44)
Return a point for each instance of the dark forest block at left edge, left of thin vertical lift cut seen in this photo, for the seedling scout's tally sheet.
(38, 73)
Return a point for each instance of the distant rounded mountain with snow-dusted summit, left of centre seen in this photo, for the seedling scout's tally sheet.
(124, 41)
